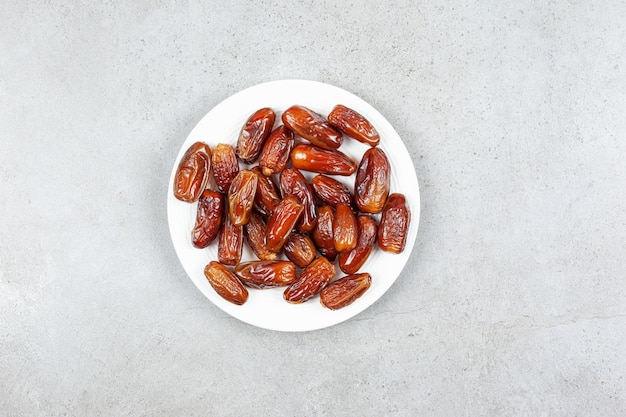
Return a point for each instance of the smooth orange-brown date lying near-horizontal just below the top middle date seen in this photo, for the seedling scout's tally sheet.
(323, 161)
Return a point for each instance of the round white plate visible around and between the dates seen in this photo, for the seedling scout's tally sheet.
(266, 308)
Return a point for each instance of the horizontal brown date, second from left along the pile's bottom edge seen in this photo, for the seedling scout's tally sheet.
(266, 274)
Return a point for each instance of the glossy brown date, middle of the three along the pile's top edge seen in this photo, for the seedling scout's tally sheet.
(312, 127)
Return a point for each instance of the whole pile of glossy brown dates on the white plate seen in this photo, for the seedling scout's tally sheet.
(276, 210)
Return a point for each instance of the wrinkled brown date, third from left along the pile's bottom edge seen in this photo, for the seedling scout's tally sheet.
(311, 281)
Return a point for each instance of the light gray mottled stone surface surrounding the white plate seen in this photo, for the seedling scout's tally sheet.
(513, 302)
